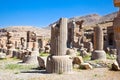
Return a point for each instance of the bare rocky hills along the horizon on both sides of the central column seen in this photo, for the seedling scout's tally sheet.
(90, 21)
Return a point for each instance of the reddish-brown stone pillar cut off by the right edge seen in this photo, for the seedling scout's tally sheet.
(116, 28)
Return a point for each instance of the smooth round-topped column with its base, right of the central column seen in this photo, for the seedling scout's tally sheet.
(98, 52)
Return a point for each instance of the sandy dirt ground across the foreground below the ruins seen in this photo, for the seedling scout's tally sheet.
(33, 74)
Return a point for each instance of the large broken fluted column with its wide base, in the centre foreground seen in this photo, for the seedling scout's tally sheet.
(58, 61)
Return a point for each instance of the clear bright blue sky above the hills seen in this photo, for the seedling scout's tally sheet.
(41, 13)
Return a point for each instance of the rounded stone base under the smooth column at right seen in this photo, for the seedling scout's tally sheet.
(98, 54)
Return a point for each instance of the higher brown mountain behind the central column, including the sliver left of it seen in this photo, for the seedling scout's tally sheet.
(92, 19)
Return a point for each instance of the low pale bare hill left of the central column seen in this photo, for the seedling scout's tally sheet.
(22, 29)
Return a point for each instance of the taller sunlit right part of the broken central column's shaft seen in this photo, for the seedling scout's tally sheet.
(62, 38)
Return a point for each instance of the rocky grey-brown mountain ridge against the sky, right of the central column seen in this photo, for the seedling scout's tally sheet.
(93, 19)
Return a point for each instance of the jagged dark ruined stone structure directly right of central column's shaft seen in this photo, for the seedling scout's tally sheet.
(75, 34)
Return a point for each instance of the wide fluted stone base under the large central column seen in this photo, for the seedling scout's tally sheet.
(59, 64)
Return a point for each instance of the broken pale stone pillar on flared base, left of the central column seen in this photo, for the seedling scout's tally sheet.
(32, 47)
